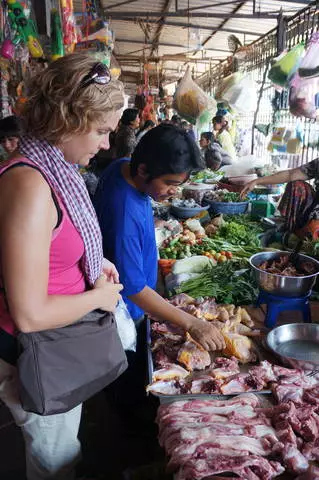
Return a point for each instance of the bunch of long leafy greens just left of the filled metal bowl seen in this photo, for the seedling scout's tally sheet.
(226, 282)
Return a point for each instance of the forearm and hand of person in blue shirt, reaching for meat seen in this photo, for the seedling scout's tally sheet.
(203, 332)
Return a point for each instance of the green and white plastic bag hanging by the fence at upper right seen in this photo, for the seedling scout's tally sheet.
(286, 65)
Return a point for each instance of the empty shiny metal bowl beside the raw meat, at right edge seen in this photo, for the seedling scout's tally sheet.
(296, 344)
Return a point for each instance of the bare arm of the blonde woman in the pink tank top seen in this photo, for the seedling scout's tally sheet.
(27, 218)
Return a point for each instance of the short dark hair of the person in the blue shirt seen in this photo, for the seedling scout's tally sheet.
(166, 149)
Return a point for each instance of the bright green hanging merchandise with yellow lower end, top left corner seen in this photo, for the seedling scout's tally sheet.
(24, 28)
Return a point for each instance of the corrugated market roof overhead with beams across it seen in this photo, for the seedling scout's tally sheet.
(177, 45)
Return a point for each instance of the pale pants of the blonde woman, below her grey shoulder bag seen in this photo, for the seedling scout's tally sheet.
(52, 446)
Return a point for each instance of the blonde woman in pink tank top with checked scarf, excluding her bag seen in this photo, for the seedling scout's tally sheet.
(51, 261)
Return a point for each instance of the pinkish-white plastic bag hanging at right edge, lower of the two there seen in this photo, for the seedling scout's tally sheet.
(303, 96)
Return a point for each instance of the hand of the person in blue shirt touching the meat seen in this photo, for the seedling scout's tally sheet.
(206, 334)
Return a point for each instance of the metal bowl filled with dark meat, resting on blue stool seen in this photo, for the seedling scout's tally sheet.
(279, 284)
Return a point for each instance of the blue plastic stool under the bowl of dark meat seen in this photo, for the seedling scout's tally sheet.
(276, 304)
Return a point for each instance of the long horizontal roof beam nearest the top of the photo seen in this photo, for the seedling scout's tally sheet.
(184, 13)
